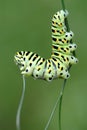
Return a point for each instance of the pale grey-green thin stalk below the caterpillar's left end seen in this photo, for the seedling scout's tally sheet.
(18, 116)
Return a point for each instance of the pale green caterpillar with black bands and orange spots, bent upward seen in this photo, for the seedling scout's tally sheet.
(61, 58)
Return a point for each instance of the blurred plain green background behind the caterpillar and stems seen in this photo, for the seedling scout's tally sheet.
(26, 25)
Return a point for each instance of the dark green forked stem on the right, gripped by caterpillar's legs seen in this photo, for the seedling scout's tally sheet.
(60, 97)
